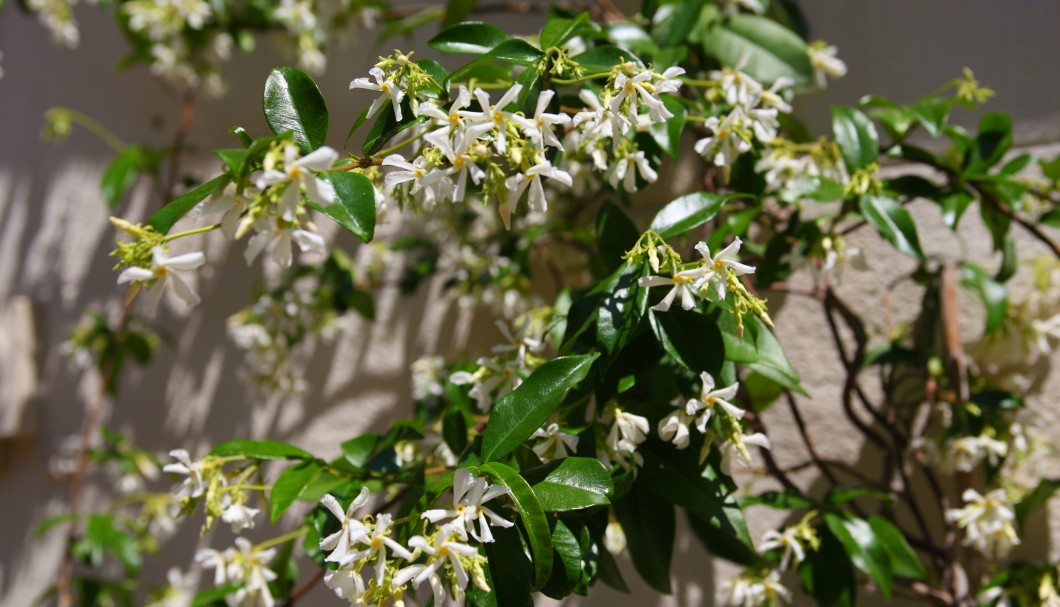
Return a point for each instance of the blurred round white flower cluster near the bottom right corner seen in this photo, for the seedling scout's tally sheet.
(987, 522)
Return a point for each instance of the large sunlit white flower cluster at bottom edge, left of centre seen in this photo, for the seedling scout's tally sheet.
(441, 558)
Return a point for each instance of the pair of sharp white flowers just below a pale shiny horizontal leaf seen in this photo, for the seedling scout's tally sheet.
(696, 282)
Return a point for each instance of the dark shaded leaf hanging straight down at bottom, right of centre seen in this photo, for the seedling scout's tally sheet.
(648, 523)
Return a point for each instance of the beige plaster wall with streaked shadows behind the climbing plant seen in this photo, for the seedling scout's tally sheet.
(55, 238)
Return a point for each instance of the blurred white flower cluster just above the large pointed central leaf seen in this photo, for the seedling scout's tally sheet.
(504, 372)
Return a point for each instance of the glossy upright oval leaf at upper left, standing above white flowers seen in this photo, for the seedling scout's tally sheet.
(294, 103)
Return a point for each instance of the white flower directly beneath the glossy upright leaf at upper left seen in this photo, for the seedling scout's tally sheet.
(297, 173)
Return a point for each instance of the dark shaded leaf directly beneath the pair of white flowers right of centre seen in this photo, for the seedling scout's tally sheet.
(691, 338)
